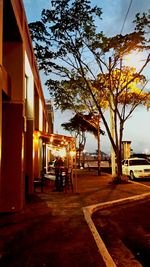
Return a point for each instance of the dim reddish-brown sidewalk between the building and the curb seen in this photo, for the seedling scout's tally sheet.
(51, 230)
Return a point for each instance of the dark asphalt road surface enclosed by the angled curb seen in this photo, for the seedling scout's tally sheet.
(126, 232)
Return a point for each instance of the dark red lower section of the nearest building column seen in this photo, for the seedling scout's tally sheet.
(12, 184)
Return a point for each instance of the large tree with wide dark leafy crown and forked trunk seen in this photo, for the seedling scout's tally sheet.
(68, 45)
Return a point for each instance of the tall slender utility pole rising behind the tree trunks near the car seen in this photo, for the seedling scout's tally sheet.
(112, 126)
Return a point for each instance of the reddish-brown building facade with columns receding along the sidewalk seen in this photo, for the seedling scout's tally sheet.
(23, 110)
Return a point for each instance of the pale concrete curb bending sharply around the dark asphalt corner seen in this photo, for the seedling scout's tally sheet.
(89, 210)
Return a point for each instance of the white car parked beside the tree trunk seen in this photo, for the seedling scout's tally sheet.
(136, 168)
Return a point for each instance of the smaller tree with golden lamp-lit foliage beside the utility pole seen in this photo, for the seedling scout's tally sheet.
(123, 98)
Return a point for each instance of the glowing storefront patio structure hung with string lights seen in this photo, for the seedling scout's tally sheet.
(52, 146)
